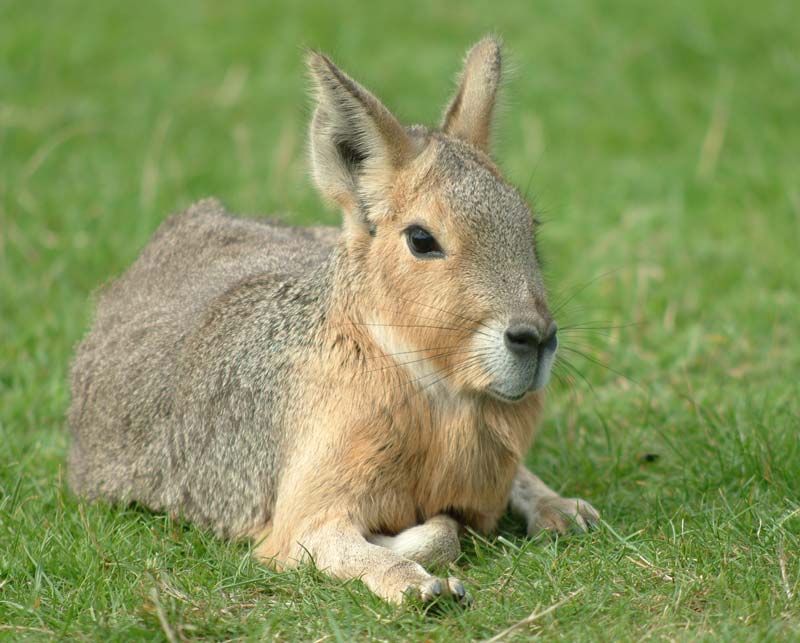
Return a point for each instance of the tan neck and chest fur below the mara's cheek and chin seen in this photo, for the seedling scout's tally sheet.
(438, 449)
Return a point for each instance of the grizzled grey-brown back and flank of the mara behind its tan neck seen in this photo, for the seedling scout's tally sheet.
(158, 411)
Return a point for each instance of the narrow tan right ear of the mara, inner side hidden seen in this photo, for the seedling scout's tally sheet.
(469, 114)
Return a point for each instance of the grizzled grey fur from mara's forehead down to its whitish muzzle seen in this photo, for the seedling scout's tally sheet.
(503, 271)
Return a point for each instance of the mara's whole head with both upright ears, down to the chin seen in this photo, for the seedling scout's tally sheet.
(442, 245)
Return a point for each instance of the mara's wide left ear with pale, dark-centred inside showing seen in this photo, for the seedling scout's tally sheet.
(352, 135)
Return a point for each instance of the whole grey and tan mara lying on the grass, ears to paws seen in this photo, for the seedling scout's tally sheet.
(352, 395)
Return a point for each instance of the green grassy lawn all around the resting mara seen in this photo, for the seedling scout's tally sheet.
(661, 143)
